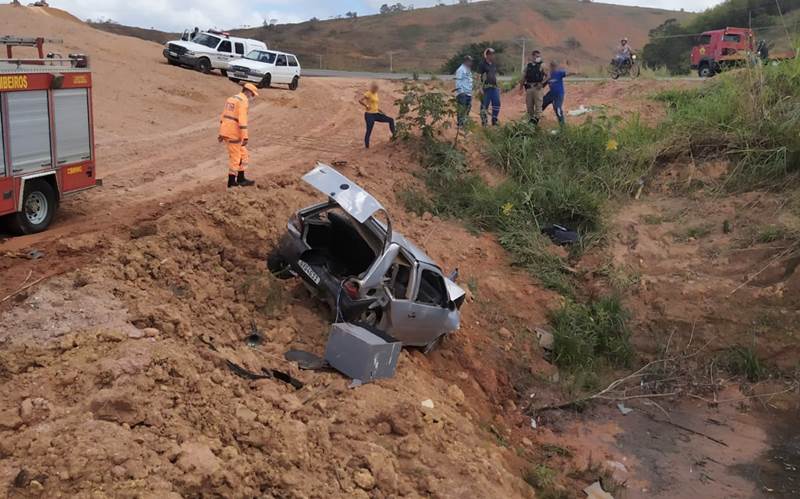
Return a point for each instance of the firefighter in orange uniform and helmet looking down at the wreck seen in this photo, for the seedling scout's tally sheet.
(233, 132)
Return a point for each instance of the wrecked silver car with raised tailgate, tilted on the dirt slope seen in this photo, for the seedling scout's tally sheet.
(367, 273)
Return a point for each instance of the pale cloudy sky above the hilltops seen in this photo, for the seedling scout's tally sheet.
(177, 14)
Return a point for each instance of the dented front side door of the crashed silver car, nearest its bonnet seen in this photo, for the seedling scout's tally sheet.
(423, 318)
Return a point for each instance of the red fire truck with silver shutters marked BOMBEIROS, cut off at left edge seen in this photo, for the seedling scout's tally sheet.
(46, 134)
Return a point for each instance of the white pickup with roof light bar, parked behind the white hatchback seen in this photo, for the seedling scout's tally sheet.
(210, 50)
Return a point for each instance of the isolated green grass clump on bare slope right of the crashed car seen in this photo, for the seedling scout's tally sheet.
(591, 335)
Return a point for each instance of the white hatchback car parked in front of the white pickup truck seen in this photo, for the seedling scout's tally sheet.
(266, 68)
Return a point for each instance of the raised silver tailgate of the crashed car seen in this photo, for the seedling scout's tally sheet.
(357, 202)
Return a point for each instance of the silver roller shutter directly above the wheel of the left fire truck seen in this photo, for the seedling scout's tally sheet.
(29, 132)
